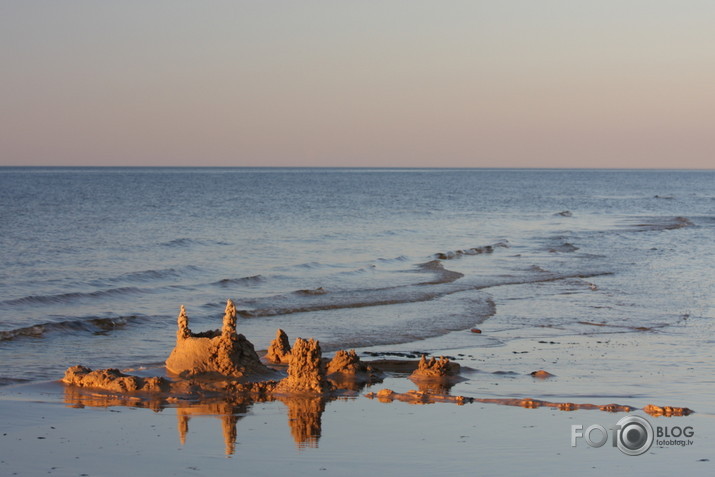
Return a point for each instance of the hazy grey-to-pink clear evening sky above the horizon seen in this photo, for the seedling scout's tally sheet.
(393, 83)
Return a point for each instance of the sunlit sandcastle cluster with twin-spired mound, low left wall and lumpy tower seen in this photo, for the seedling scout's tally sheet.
(224, 361)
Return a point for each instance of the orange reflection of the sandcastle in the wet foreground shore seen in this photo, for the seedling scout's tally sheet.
(304, 412)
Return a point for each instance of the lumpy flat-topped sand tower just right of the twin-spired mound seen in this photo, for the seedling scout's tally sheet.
(305, 371)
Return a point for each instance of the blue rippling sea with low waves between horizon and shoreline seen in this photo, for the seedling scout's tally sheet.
(96, 262)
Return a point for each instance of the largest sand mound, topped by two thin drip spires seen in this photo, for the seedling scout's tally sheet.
(224, 352)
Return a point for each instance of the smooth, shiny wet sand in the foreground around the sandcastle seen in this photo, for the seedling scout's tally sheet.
(51, 429)
